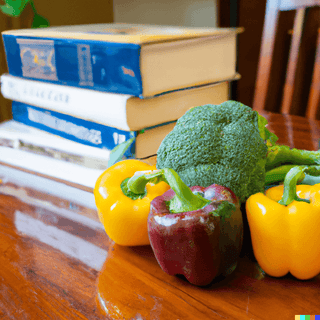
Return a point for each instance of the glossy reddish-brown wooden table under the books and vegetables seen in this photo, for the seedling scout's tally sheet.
(56, 261)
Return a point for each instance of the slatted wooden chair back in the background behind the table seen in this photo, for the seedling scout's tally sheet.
(273, 9)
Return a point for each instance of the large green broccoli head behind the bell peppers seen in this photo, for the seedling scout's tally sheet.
(222, 144)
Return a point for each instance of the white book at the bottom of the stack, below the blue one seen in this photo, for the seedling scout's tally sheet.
(43, 153)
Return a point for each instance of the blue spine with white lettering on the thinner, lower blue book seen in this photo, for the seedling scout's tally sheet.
(74, 129)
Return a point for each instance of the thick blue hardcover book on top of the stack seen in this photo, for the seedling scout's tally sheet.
(140, 60)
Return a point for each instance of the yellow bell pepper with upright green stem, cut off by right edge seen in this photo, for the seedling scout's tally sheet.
(285, 229)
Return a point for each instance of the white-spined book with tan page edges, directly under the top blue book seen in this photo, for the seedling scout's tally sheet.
(121, 111)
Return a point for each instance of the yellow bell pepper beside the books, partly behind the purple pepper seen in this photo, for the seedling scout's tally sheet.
(123, 215)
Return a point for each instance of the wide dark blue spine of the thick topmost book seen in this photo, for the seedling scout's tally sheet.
(103, 66)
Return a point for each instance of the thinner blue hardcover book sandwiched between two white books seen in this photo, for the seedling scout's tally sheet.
(89, 133)
